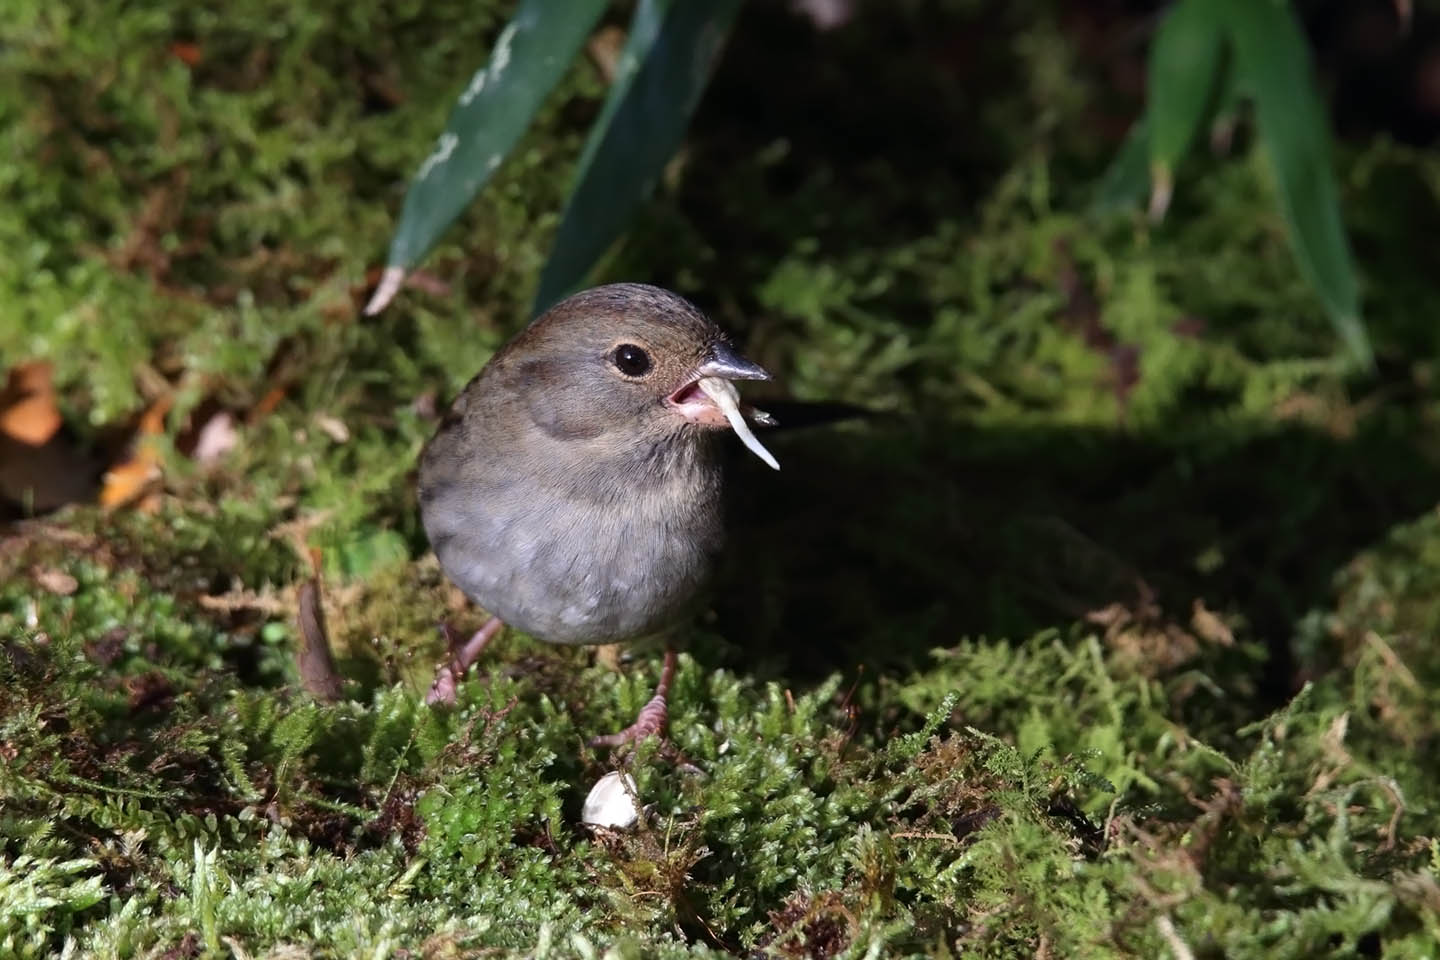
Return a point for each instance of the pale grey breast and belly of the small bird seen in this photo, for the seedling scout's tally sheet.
(617, 562)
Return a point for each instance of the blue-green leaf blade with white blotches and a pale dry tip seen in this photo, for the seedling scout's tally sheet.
(493, 112)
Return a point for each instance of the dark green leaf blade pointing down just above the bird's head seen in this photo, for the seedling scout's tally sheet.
(665, 71)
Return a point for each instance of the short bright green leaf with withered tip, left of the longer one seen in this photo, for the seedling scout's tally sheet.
(1186, 64)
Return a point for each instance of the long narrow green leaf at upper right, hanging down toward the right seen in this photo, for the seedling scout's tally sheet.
(1274, 67)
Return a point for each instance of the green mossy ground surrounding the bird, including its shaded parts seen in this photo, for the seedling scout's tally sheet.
(1009, 670)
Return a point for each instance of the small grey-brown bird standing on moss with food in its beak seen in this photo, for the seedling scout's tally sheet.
(574, 489)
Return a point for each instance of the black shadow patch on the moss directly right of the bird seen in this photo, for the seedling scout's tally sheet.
(879, 542)
